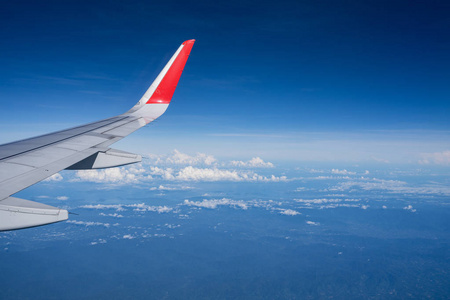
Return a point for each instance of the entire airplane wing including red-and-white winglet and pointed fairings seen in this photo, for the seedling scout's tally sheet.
(26, 162)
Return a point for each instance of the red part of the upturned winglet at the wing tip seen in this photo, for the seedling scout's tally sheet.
(164, 92)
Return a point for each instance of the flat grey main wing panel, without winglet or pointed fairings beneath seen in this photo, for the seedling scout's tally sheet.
(29, 161)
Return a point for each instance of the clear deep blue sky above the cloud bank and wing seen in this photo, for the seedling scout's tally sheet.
(272, 72)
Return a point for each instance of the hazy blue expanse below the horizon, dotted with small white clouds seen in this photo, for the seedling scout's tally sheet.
(313, 232)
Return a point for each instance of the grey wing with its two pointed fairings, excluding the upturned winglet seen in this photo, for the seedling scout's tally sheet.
(29, 161)
